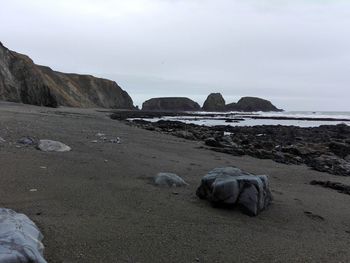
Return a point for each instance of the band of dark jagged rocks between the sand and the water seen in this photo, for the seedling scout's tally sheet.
(325, 148)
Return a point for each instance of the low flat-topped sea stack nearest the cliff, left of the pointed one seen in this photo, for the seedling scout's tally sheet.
(170, 104)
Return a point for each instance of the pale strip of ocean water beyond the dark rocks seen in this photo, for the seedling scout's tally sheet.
(216, 118)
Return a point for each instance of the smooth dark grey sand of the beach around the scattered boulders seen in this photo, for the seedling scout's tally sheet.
(96, 203)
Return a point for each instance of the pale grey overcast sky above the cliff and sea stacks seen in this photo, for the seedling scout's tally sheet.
(294, 52)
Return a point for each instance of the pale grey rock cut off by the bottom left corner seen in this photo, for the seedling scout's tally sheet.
(20, 238)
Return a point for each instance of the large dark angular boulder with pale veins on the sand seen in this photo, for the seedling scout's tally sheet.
(229, 186)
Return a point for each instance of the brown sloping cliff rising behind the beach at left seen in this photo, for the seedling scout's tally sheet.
(23, 81)
